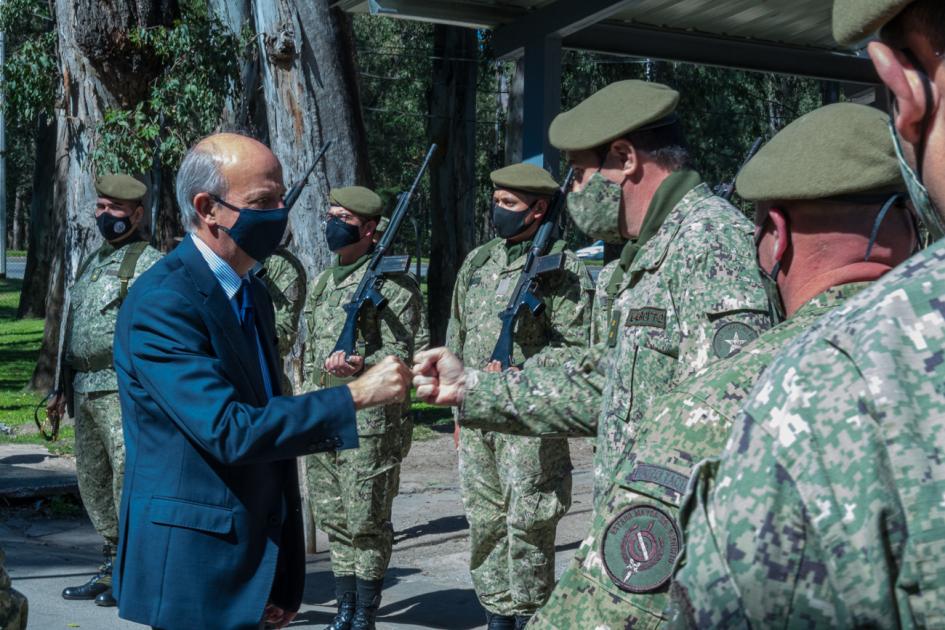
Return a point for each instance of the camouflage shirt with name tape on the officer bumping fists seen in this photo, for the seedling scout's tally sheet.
(691, 296)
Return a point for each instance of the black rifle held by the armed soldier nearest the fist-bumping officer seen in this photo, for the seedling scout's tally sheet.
(538, 263)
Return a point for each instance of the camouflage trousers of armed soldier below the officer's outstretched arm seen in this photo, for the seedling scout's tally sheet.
(515, 490)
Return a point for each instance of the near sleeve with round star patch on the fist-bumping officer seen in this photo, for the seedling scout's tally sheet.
(722, 302)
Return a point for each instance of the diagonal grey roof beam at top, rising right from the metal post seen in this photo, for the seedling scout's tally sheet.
(559, 19)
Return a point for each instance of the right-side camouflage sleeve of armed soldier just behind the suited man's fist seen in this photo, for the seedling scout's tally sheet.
(399, 321)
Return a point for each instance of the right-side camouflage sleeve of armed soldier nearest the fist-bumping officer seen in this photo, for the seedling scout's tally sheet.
(569, 308)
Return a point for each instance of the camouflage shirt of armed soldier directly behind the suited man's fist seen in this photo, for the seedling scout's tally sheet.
(397, 329)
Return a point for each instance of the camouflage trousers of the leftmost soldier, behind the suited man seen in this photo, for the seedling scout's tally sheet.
(100, 459)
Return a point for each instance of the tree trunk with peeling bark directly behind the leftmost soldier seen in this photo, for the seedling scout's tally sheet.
(100, 69)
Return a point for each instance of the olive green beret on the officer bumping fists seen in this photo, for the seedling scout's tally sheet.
(611, 113)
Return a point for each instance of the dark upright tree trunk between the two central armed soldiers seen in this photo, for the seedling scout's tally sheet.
(452, 106)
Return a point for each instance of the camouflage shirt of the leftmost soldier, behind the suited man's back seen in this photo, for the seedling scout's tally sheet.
(94, 301)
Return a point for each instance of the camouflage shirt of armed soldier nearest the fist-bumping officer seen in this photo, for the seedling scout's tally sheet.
(559, 332)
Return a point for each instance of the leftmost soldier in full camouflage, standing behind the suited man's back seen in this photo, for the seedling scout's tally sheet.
(90, 384)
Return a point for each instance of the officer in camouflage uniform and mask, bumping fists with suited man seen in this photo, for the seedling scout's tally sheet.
(687, 292)
